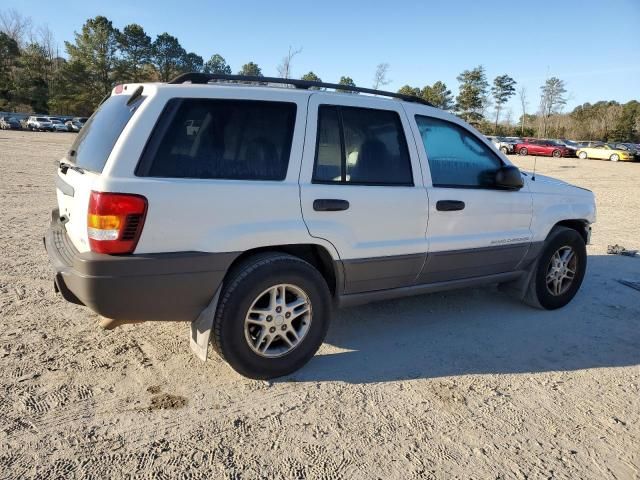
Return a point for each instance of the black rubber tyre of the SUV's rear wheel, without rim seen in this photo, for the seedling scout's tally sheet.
(235, 300)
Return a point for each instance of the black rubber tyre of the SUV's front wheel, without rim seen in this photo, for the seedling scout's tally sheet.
(561, 237)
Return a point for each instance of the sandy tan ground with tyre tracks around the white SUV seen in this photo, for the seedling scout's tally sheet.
(469, 384)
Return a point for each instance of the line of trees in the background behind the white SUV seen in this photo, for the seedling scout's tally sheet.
(35, 78)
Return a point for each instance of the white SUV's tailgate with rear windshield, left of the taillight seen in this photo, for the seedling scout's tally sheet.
(86, 158)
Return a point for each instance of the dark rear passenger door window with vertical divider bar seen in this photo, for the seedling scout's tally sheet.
(361, 146)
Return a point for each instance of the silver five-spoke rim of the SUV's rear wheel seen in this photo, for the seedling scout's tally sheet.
(278, 320)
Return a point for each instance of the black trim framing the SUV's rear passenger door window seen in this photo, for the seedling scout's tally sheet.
(343, 159)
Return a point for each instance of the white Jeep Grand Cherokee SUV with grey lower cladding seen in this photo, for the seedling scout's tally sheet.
(285, 202)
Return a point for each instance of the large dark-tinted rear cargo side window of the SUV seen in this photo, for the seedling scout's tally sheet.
(226, 139)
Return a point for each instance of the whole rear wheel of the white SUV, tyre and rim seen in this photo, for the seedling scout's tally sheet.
(273, 315)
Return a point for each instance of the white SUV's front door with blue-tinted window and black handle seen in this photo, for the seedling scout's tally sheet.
(474, 229)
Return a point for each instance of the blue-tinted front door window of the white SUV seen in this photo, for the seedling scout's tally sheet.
(456, 157)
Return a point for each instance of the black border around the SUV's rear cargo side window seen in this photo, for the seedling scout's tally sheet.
(165, 120)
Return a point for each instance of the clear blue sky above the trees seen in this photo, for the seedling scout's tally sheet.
(593, 45)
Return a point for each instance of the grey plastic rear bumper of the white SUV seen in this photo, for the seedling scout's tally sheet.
(132, 288)
